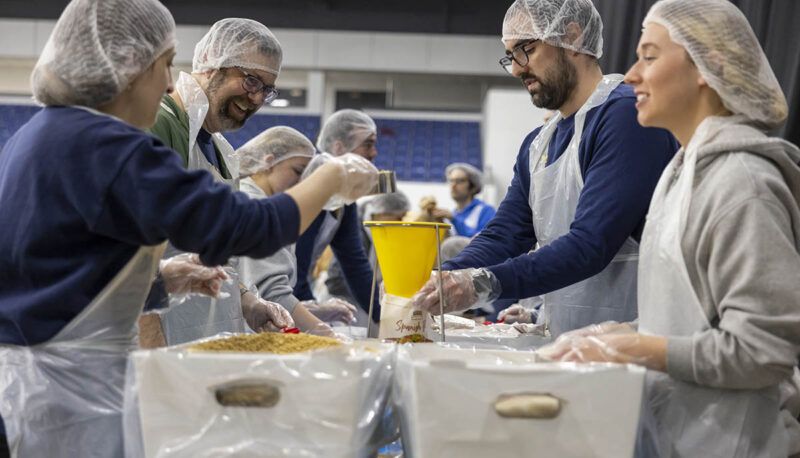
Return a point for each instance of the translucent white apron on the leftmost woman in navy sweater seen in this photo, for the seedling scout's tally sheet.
(64, 397)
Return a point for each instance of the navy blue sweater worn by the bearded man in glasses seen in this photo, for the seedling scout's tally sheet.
(621, 163)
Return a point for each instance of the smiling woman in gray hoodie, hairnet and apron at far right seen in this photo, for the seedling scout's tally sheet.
(719, 303)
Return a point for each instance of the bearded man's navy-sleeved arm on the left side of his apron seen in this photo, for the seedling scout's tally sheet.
(510, 232)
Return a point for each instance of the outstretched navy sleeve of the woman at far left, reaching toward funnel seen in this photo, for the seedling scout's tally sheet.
(152, 198)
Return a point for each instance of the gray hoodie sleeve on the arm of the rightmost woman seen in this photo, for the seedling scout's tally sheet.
(753, 274)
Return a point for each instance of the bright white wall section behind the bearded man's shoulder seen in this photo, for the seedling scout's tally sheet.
(508, 116)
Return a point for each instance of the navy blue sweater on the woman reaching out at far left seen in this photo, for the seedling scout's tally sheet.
(81, 192)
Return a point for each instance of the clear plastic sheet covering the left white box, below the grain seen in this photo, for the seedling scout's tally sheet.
(327, 403)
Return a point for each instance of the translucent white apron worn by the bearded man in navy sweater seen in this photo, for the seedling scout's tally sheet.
(553, 198)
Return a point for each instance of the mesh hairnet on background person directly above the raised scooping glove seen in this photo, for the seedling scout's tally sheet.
(350, 127)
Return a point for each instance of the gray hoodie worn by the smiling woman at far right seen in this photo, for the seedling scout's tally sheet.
(742, 247)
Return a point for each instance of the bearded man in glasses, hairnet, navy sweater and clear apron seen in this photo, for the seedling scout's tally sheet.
(581, 185)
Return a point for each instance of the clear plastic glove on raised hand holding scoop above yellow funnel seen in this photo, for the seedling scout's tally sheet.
(359, 177)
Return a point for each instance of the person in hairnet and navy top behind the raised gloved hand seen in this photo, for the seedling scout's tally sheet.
(344, 131)
